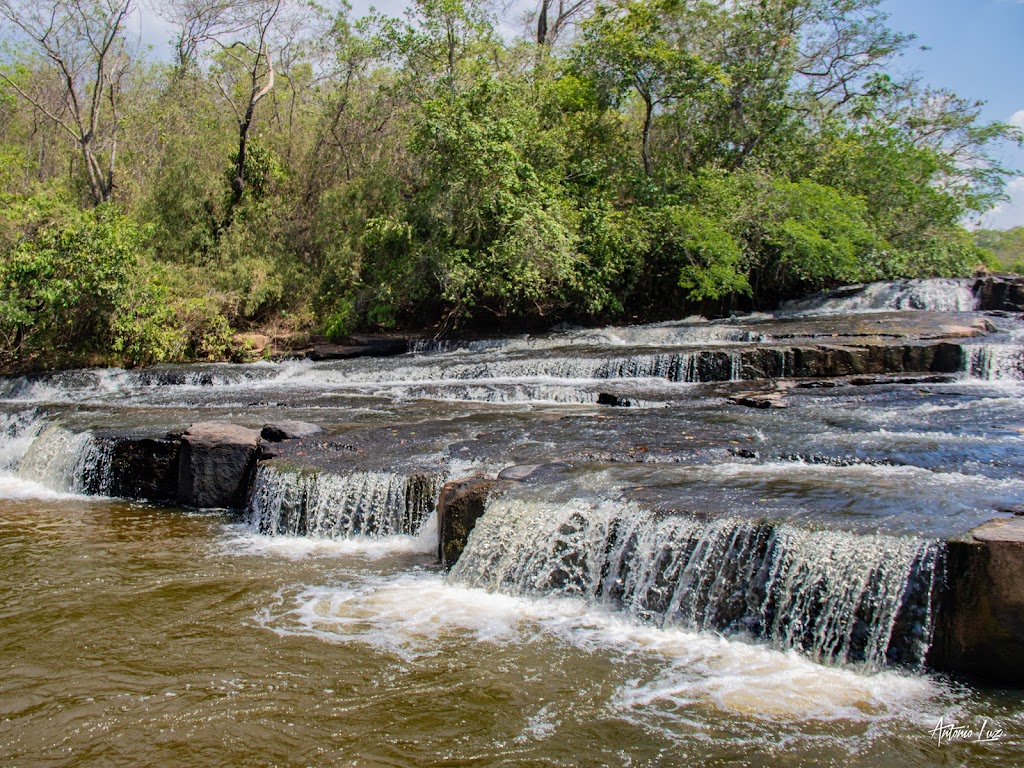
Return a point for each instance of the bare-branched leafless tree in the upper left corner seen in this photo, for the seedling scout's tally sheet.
(81, 46)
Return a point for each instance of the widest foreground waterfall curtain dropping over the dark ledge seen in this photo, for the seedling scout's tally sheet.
(832, 595)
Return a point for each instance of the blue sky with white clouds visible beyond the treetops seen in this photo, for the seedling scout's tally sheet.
(972, 48)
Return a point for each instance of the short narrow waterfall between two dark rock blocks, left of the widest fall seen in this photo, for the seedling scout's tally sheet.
(332, 506)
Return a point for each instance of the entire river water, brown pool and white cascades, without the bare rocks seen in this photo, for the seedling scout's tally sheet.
(133, 634)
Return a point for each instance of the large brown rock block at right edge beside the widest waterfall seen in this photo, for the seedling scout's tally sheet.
(980, 628)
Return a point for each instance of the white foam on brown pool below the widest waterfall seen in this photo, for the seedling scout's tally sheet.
(415, 617)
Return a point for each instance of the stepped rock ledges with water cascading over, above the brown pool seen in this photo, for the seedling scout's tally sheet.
(832, 479)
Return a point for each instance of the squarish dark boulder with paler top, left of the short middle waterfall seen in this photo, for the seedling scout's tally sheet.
(216, 465)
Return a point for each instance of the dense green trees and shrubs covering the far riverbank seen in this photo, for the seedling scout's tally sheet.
(294, 169)
